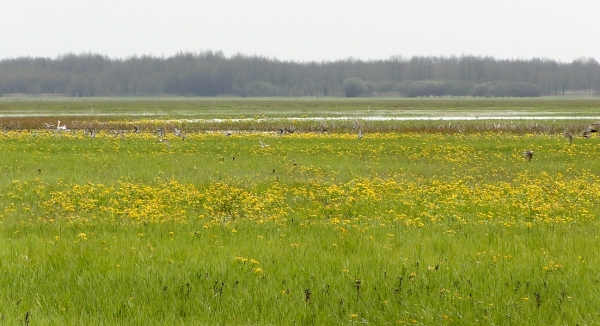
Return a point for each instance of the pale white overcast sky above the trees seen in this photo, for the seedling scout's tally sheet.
(307, 30)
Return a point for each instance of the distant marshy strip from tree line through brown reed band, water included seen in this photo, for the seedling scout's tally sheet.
(305, 114)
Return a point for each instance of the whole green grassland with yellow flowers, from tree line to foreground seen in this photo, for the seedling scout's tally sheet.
(230, 222)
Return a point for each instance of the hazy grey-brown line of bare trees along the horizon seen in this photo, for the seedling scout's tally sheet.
(213, 74)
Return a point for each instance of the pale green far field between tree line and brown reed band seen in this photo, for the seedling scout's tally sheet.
(297, 107)
